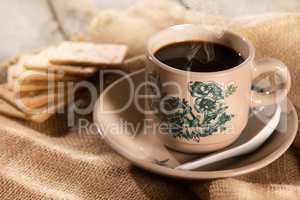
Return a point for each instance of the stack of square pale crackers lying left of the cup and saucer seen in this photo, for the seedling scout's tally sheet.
(41, 83)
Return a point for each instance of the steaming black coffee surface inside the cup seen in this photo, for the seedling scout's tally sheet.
(199, 56)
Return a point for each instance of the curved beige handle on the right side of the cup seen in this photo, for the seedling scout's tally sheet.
(271, 65)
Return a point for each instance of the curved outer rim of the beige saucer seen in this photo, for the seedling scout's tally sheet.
(192, 175)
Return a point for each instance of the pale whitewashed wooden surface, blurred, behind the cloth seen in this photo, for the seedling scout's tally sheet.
(34, 23)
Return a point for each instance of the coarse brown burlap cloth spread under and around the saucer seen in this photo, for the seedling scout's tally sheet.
(60, 163)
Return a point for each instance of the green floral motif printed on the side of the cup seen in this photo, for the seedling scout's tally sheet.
(208, 115)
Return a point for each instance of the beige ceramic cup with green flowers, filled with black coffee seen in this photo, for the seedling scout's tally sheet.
(202, 106)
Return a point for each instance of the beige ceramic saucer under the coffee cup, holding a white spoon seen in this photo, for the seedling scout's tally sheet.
(119, 119)
